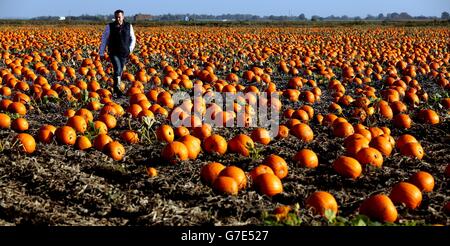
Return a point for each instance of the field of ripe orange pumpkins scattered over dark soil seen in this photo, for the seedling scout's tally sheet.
(362, 135)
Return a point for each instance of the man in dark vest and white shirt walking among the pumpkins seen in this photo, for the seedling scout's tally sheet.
(120, 38)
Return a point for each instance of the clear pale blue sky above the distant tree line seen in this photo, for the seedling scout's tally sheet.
(33, 8)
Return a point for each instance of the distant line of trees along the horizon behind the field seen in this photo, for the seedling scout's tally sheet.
(248, 17)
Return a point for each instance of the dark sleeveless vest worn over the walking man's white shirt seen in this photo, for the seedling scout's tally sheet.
(119, 39)
